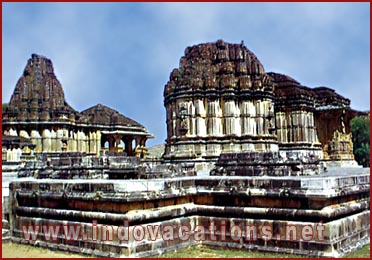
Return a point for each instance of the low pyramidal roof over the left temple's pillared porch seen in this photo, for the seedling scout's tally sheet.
(103, 115)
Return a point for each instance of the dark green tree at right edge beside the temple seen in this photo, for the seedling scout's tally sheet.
(360, 131)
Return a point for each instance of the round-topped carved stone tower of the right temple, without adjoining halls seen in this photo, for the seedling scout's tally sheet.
(219, 99)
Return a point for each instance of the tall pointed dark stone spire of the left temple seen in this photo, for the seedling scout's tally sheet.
(38, 95)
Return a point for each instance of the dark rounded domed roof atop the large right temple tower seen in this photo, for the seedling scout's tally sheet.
(215, 65)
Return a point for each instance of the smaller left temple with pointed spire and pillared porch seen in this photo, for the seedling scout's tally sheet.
(38, 112)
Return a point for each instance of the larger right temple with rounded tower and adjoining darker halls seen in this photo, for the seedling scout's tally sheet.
(220, 100)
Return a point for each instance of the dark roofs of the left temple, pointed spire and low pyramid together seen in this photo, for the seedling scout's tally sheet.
(38, 98)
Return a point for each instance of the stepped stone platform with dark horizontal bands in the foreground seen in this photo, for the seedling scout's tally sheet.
(149, 217)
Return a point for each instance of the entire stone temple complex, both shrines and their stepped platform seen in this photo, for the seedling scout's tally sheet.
(252, 160)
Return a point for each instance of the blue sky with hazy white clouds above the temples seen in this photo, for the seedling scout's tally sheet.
(121, 54)
